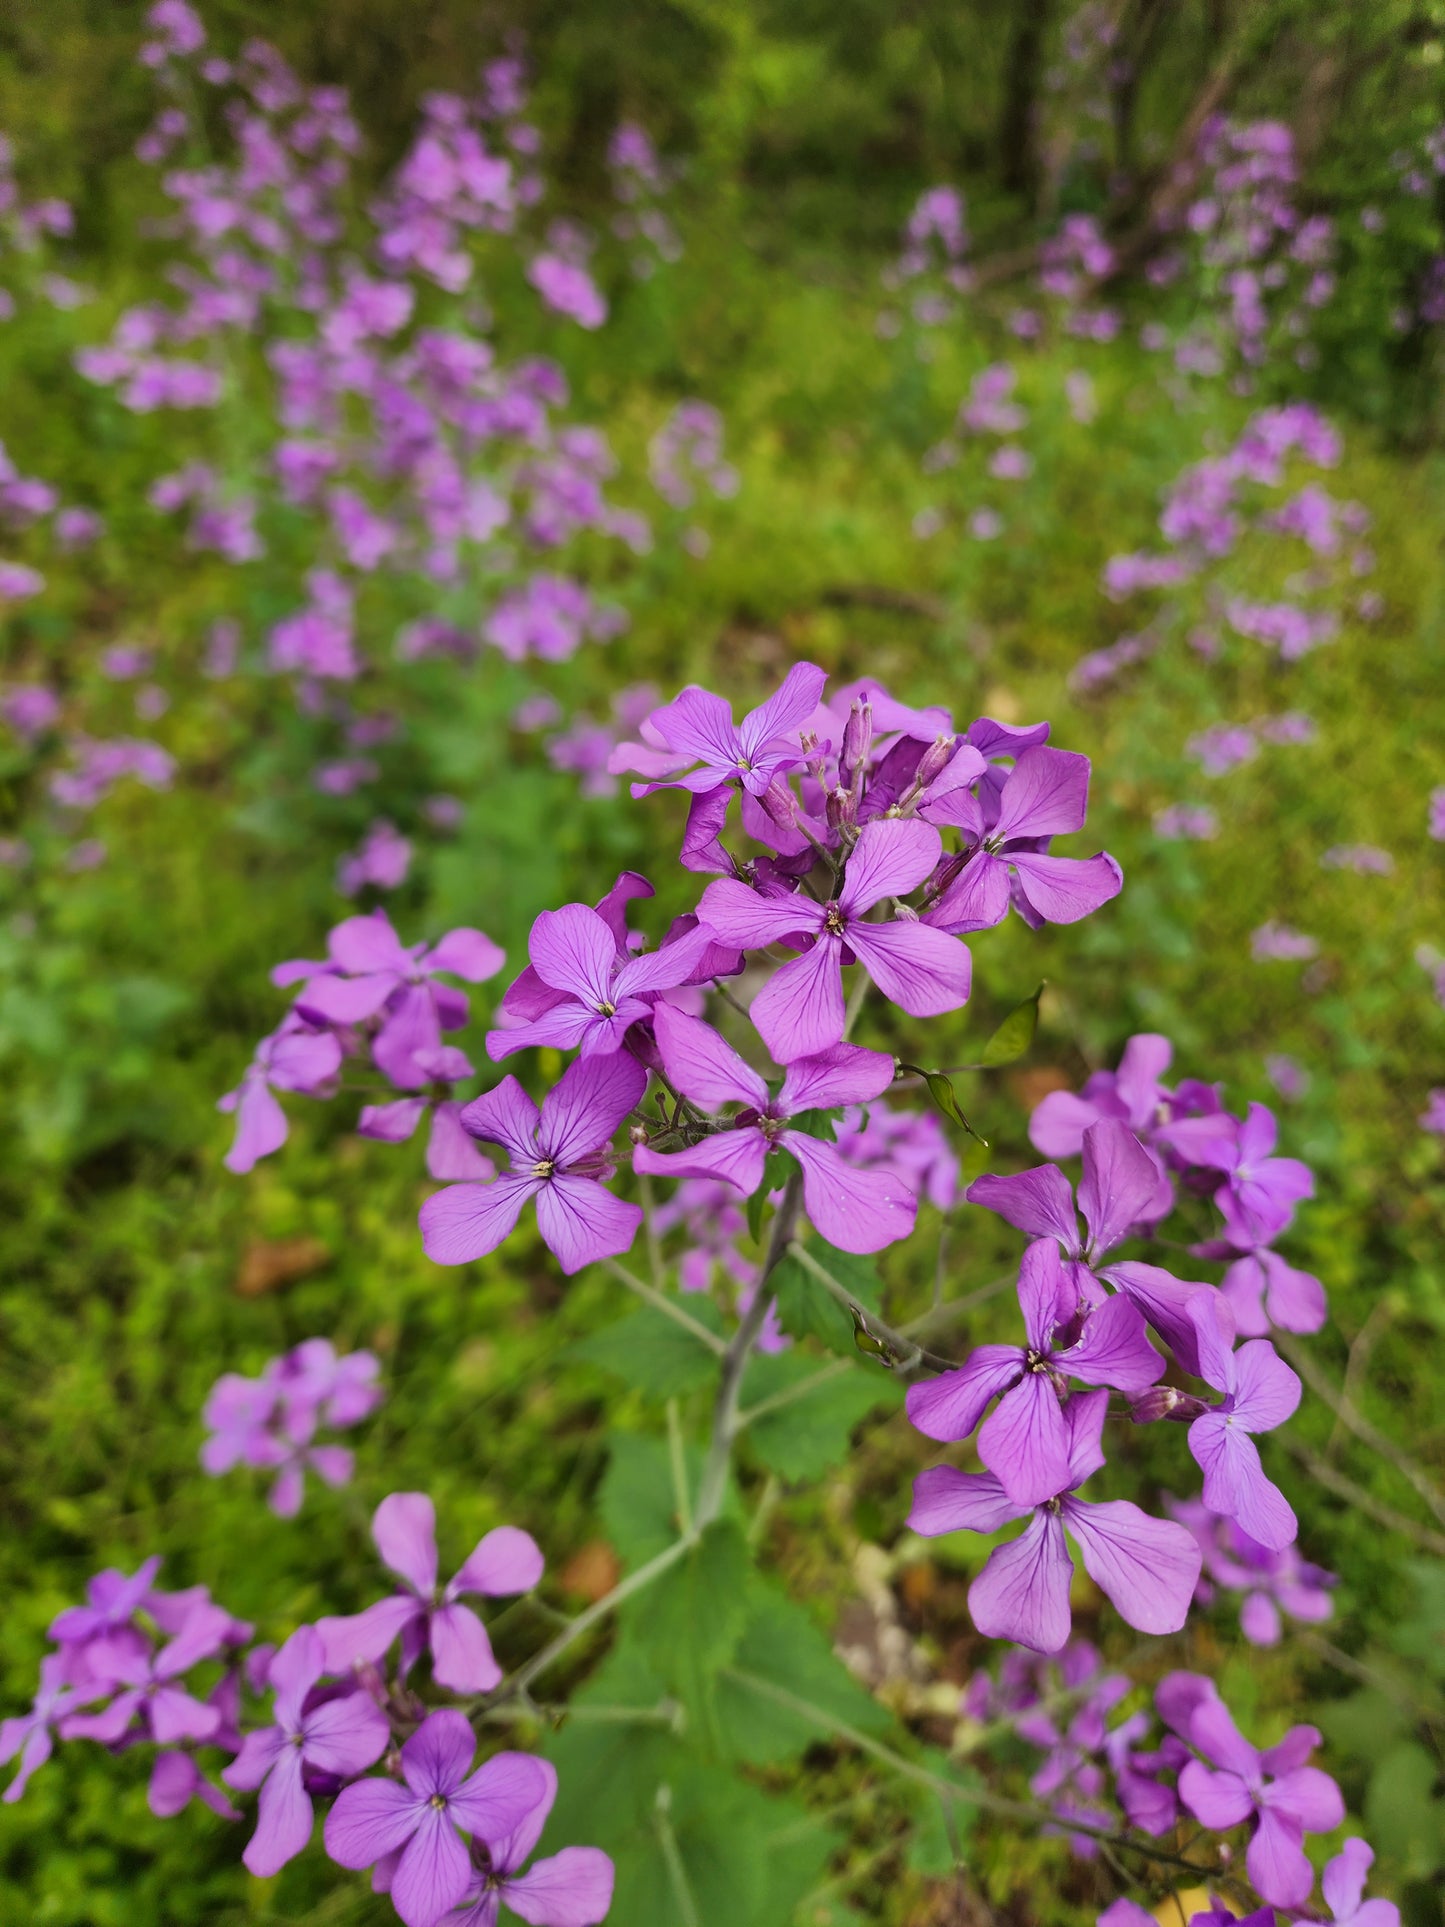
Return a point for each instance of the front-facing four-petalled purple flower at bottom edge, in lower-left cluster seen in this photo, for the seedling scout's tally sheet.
(411, 1832)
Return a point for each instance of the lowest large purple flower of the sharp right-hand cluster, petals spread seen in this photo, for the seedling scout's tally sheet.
(1145, 1566)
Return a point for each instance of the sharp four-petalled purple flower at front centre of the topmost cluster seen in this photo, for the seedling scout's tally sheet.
(801, 1011)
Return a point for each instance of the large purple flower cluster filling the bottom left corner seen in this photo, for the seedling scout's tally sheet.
(178, 1674)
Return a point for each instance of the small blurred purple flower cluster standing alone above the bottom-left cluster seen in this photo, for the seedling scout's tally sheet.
(273, 1421)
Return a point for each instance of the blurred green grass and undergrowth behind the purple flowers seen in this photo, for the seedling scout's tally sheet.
(132, 997)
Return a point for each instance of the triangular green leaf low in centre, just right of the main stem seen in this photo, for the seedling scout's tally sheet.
(781, 1647)
